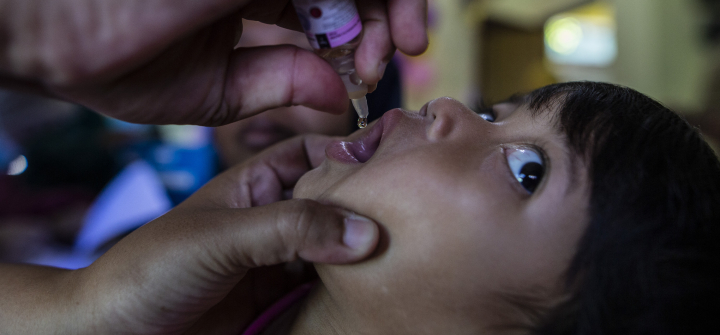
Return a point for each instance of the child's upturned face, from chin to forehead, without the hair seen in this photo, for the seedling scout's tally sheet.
(457, 223)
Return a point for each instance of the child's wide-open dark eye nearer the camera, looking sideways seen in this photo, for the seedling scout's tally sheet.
(527, 166)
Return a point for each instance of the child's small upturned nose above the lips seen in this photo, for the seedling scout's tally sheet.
(443, 113)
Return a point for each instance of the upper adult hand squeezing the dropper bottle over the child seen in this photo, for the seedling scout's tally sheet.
(168, 61)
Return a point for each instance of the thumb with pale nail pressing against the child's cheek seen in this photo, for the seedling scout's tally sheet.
(302, 229)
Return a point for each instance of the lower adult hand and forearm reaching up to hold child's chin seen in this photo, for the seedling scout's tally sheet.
(172, 274)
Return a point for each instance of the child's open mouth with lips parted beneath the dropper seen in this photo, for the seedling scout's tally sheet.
(362, 148)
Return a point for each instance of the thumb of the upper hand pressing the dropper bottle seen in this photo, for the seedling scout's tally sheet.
(263, 78)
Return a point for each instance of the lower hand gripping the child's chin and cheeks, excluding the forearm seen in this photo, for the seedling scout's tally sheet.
(207, 244)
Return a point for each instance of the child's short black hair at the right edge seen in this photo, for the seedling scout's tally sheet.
(649, 260)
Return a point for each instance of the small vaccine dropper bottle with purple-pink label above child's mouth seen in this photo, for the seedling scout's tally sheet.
(334, 30)
